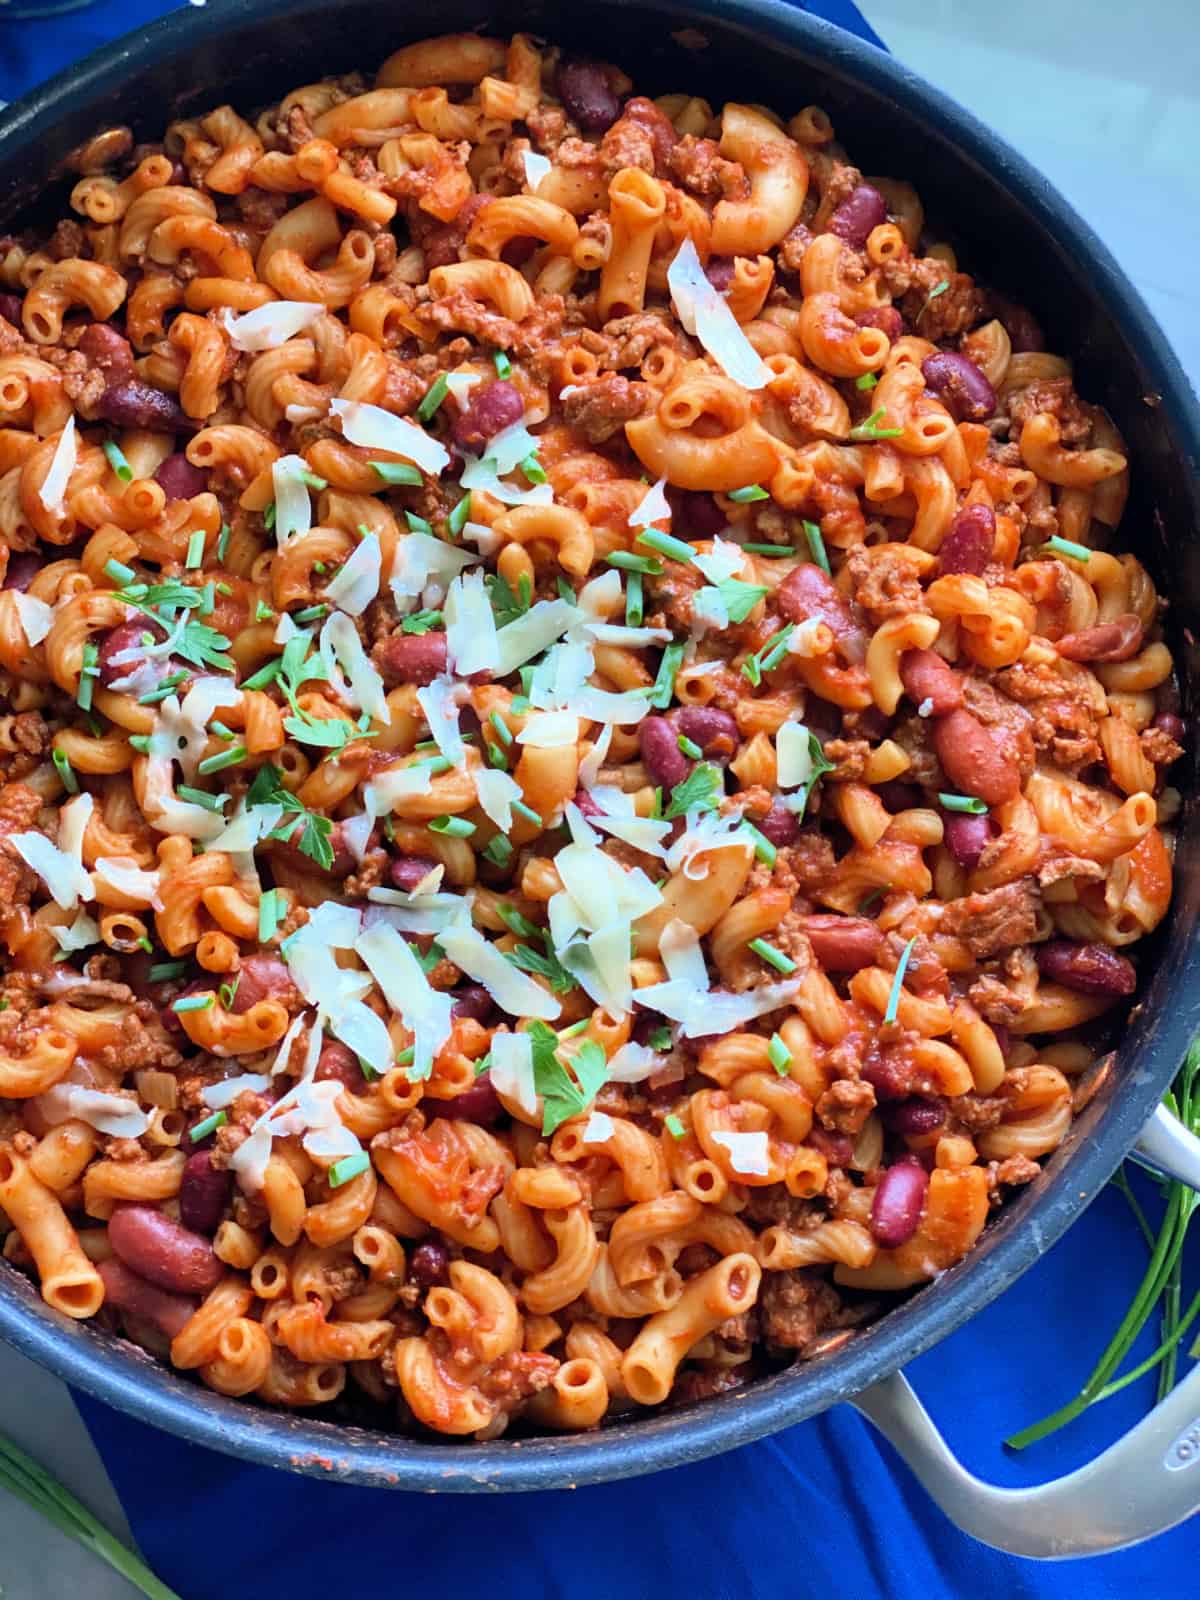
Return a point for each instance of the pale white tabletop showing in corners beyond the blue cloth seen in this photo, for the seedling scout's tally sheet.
(1111, 114)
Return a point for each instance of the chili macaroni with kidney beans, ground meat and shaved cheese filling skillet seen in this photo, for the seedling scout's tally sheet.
(582, 764)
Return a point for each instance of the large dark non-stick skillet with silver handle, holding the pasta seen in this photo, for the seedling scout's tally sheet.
(1018, 234)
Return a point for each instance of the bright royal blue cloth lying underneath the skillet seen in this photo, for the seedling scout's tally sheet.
(825, 1508)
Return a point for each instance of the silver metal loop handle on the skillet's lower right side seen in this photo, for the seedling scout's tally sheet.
(1145, 1484)
